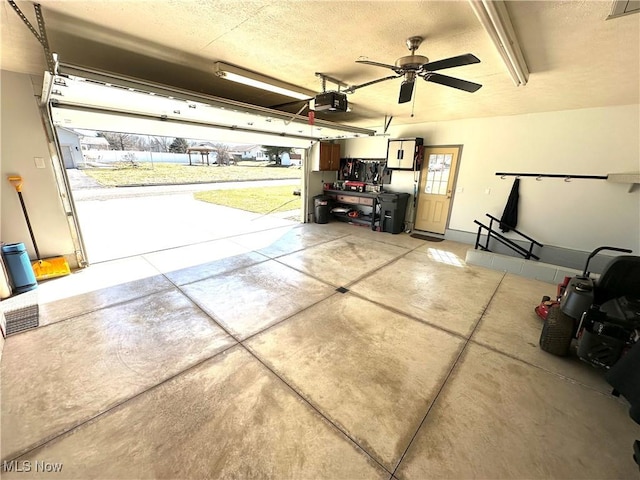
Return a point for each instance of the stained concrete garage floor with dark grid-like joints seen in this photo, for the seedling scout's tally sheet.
(238, 358)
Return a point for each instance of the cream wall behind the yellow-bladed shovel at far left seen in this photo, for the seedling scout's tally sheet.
(22, 140)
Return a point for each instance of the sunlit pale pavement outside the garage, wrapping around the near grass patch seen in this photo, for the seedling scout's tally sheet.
(125, 221)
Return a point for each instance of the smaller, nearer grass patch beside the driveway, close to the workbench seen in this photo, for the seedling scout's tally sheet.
(259, 200)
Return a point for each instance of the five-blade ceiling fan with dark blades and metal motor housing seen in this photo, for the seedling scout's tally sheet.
(412, 66)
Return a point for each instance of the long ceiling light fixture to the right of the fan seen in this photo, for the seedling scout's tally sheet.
(495, 19)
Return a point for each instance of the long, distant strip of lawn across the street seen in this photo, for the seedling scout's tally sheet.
(173, 174)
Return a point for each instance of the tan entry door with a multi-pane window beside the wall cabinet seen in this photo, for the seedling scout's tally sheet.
(436, 188)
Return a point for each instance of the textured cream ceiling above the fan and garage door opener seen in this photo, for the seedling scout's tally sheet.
(576, 58)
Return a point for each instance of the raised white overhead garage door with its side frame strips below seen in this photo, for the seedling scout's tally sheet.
(87, 99)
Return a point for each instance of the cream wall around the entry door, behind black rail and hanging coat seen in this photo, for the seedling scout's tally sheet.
(581, 214)
